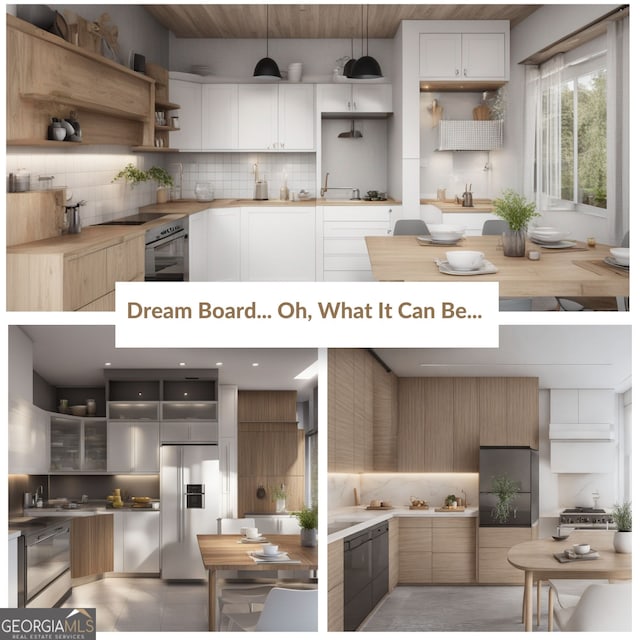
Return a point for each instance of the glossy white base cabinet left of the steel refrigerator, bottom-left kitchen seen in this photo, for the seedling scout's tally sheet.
(136, 541)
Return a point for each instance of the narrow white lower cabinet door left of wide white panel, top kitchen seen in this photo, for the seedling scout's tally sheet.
(223, 245)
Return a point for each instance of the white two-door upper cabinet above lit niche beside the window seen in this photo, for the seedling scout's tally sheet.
(463, 56)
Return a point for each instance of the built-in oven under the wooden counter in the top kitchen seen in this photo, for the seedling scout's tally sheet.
(166, 256)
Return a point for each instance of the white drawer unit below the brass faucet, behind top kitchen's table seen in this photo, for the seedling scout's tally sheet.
(345, 256)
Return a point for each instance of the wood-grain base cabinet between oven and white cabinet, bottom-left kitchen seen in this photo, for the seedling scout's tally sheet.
(91, 545)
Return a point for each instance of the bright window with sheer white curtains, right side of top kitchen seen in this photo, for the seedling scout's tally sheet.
(576, 129)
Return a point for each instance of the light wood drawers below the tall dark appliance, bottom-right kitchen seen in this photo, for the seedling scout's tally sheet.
(493, 545)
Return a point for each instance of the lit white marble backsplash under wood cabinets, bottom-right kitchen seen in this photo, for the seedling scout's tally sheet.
(397, 488)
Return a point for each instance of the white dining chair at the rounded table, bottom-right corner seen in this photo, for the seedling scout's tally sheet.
(601, 607)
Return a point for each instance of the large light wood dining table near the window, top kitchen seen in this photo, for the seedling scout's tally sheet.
(579, 271)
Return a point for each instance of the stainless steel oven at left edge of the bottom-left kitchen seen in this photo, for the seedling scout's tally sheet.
(44, 562)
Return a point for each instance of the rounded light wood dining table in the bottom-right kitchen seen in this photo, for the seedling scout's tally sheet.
(536, 559)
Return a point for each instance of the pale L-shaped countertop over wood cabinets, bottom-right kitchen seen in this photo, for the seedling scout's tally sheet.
(361, 518)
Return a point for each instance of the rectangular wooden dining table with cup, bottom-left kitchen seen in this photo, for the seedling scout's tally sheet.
(228, 553)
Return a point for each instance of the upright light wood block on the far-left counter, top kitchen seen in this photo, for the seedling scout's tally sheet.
(34, 215)
